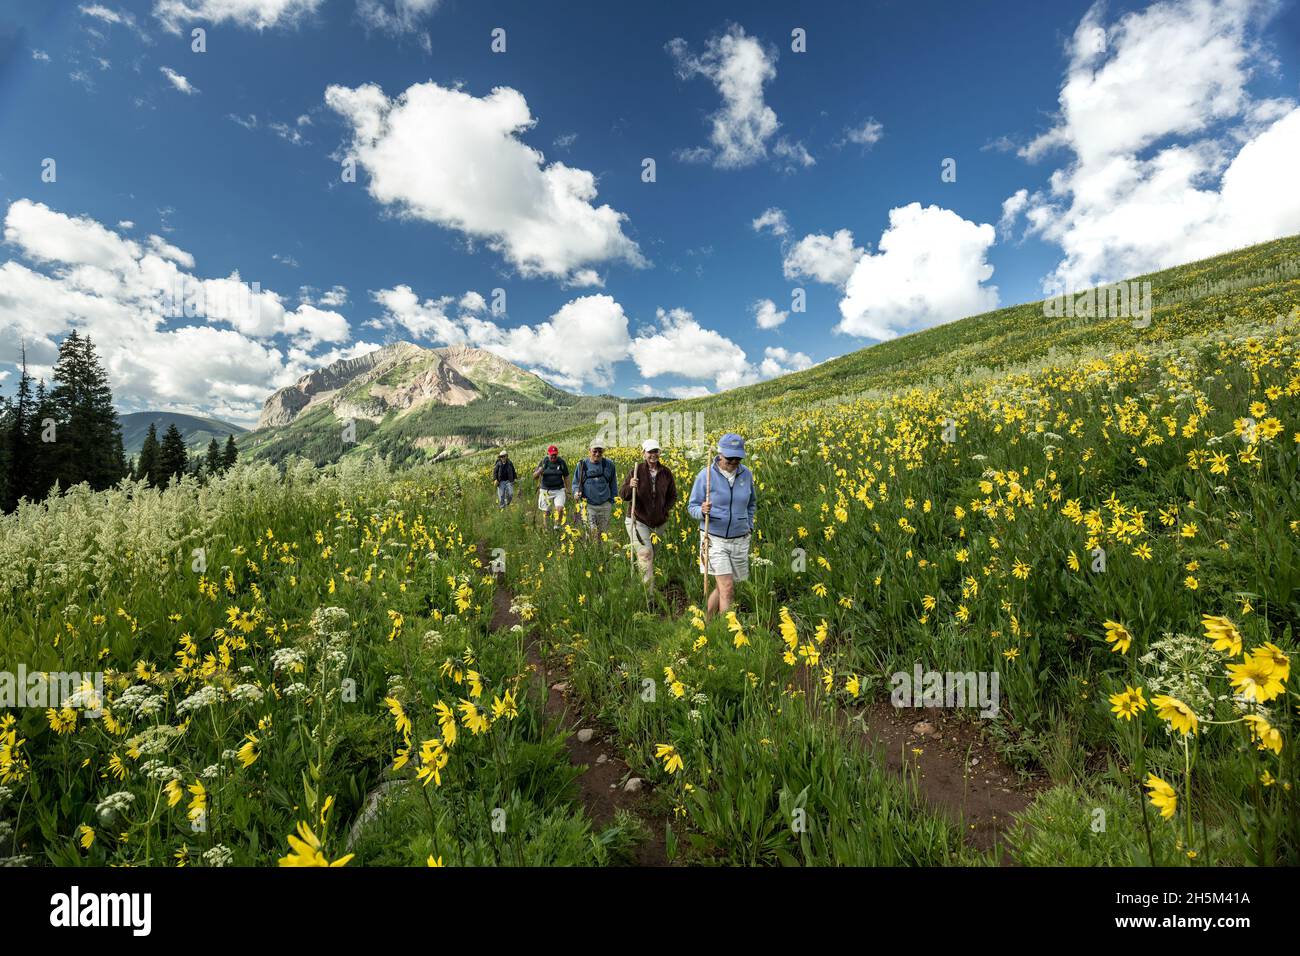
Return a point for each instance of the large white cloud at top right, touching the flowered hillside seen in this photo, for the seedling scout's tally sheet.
(1171, 158)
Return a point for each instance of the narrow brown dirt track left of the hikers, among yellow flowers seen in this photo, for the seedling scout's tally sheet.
(604, 772)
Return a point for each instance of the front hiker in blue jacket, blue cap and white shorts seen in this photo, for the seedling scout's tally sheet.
(723, 501)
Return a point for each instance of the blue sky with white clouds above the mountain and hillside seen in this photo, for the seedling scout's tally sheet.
(1090, 142)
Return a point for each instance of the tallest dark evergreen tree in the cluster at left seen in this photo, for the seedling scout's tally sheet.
(90, 436)
